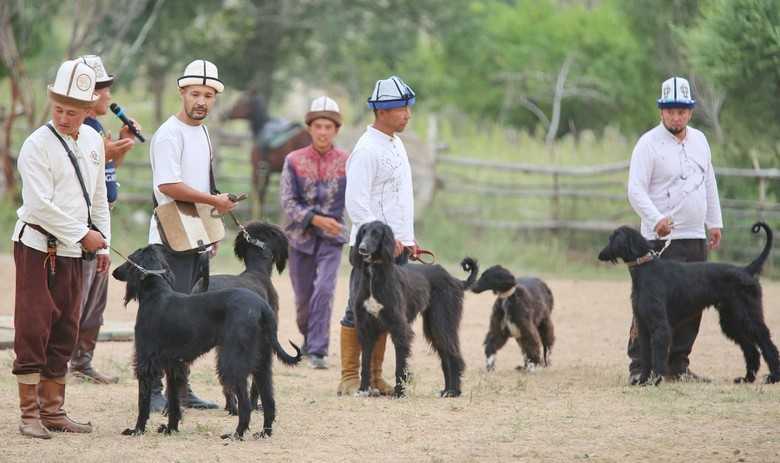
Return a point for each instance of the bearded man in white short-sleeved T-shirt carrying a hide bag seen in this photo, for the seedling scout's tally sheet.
(180, 153)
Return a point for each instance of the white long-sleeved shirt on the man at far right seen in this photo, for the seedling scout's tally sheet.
(669, 178)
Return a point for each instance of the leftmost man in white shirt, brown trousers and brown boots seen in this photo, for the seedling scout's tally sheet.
(61, 221)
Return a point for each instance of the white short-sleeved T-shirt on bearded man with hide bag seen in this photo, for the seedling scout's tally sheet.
(179, 153)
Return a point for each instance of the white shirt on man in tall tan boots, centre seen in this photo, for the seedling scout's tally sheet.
(379, 185)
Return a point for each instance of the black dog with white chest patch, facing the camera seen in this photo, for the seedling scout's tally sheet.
(388, 297)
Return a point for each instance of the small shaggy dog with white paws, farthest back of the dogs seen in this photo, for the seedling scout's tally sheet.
(522, 311)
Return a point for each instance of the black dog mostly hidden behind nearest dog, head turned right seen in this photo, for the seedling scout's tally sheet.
(261, 247)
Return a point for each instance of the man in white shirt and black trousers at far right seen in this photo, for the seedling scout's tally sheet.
(672, 187)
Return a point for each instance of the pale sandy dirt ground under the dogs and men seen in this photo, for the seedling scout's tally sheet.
(579, 409)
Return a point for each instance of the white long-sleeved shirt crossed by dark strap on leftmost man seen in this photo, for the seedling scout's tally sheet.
(51, 193)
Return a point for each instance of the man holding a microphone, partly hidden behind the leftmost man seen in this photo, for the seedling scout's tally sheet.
(95, 290)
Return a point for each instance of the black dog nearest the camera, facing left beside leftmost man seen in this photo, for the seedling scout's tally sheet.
(173, 329)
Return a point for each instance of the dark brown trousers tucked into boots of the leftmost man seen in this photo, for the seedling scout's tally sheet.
(46, 321)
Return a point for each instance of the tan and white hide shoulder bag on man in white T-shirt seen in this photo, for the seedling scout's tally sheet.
(188, 227)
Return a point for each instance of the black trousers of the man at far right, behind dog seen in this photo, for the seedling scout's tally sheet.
(683, 334)
